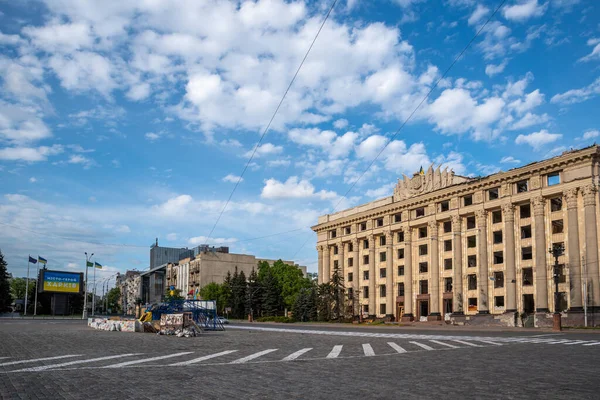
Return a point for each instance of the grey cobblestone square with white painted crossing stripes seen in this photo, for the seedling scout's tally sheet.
(66, 359)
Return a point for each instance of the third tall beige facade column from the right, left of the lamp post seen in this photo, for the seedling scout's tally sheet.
(541, 265)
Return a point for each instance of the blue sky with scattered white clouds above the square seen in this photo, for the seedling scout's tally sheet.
(126, 121)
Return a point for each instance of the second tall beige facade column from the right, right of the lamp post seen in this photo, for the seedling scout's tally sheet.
(573, 249)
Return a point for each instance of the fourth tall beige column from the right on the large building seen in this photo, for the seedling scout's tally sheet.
(508, 215)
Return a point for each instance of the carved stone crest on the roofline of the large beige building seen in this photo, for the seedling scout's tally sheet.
(425, 182)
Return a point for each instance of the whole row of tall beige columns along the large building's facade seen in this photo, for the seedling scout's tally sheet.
(508, 217)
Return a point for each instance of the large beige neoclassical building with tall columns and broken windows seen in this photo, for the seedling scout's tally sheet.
(448, 244)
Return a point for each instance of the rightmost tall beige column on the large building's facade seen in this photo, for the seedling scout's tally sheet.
(591, 246)
